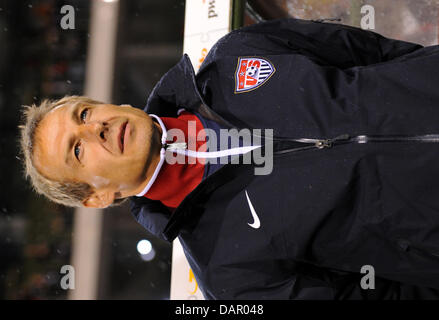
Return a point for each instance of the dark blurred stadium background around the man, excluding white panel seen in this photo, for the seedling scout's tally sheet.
(39, 59)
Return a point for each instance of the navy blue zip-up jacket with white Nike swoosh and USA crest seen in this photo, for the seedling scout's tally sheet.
(330, 206)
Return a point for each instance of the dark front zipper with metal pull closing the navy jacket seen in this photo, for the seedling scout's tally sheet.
(346, 138)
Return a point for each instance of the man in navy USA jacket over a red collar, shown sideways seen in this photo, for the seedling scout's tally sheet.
(353, 181)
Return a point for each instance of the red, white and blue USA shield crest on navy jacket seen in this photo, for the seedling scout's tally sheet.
(251, 73)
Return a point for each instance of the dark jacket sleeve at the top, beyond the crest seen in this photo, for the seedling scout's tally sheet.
(329, 44)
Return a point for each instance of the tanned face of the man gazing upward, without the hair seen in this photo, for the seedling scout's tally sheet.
(112, 148)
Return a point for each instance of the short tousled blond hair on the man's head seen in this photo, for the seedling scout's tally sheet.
(68, 193)
